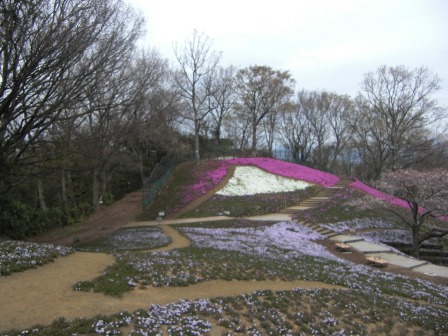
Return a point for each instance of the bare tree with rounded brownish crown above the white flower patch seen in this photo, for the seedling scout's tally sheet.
(262, 91)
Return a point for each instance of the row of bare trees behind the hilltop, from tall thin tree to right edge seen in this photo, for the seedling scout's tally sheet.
(394, 122)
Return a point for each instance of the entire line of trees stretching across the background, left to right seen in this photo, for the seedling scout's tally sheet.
(86, 114)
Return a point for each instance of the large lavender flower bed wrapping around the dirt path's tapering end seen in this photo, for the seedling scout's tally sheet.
(257, 251)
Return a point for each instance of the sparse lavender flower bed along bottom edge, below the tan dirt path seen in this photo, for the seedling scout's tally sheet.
(267, 312)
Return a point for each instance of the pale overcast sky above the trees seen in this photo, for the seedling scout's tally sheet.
(325, 44)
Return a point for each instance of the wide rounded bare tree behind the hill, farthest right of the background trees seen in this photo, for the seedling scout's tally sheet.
(394, 108)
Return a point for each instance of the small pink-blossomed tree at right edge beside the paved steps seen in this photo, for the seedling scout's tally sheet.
(426, 195)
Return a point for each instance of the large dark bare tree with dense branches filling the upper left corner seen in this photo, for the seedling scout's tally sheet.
(50, 52)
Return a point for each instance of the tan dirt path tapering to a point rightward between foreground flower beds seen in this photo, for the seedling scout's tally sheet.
(41, 295)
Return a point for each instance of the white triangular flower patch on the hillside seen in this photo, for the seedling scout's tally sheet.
(251, 181)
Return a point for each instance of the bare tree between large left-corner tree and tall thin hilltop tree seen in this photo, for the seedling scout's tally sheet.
(115, 109)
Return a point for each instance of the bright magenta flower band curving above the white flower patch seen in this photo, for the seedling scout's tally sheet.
(290, 170)
